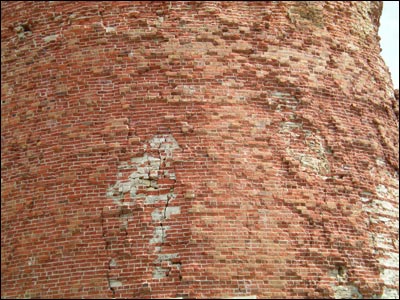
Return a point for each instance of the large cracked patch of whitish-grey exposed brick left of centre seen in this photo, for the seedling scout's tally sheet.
(152, 182)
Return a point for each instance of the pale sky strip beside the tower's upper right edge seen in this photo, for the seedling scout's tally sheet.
(389, 33)
